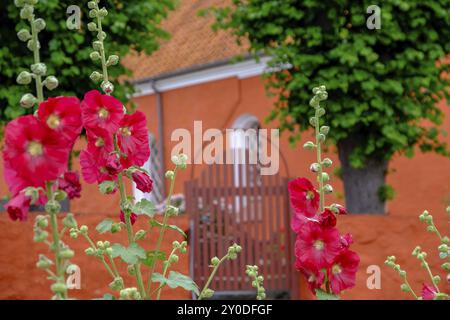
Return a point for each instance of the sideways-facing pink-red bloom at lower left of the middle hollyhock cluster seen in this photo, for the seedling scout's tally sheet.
(93, 165)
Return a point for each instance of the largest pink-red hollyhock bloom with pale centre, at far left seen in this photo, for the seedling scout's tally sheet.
(35, 152)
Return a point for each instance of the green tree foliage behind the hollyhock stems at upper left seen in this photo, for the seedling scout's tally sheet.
(130, 25)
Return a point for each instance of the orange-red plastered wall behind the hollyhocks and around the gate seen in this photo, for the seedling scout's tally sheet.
(420, 183)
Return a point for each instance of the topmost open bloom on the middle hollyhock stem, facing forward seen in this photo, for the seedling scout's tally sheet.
(101, 111)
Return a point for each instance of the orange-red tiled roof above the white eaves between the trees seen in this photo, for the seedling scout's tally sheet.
(192, 42)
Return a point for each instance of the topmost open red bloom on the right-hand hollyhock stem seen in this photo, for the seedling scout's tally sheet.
(304, 198)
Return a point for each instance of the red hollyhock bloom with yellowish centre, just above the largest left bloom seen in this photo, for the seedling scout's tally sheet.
(62, 114)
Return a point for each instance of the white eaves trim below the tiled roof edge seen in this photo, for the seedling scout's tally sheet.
(240, 70)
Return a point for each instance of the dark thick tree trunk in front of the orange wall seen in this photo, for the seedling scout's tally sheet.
(362, 185)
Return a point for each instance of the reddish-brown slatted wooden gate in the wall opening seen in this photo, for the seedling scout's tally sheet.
(235, 203)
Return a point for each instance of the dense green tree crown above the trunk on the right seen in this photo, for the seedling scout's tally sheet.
(383, 83)
